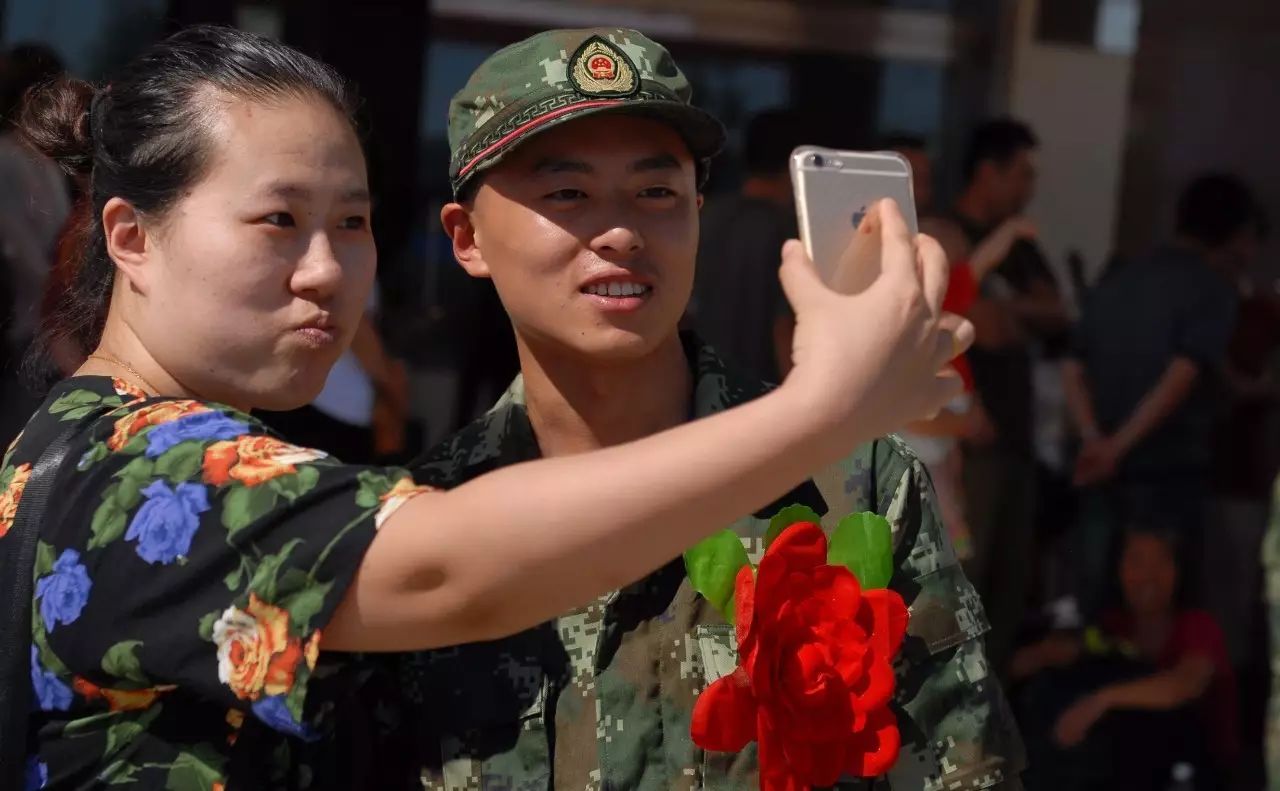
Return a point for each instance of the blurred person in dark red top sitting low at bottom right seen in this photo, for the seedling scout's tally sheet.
(1131, 724)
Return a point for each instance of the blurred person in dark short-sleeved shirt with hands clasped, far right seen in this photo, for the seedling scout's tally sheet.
(1148, 378)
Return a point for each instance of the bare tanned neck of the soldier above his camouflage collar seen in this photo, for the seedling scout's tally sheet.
(577, 405)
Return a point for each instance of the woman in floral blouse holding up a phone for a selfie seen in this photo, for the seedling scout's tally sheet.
(199, 582)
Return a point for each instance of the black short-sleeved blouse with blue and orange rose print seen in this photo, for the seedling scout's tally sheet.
(186, 566)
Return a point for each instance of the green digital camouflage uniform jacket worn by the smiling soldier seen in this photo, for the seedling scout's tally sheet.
(602, 698)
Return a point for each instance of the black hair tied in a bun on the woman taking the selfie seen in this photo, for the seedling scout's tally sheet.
(144, 138)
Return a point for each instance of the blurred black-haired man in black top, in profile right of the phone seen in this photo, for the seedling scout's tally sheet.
(1018, 313)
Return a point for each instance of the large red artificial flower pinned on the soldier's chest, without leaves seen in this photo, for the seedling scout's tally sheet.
(816, 670)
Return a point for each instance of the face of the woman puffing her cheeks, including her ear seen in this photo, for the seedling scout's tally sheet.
(255, 281)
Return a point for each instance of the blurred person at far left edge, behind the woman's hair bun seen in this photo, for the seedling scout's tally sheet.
(35, 204)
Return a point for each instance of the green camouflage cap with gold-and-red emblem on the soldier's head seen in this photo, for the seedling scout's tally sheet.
(560, 76)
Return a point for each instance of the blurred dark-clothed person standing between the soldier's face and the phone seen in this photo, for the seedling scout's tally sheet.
(738, 305)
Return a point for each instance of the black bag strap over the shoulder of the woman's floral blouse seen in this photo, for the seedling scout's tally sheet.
(17, 566)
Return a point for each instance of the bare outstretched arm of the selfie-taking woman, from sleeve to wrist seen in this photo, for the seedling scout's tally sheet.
(519, 546)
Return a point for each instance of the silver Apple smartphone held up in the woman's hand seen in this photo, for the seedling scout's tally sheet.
(834, 190)
